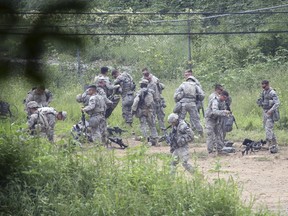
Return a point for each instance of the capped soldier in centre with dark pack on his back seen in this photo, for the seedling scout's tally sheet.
(143, 108)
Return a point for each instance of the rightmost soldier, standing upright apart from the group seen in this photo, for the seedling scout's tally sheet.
(269, 102)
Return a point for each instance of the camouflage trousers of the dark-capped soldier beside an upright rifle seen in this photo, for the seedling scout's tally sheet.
(98, 126)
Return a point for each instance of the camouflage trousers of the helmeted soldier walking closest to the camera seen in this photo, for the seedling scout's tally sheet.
(181, 154)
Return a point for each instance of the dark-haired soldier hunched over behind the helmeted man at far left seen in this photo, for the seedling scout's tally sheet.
(40, 95)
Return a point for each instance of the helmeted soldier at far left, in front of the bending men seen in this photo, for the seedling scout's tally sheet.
(37, 122)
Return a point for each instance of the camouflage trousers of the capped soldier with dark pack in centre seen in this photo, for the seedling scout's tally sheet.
(149, 120)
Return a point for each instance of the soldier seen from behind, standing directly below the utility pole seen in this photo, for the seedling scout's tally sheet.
(185, 95)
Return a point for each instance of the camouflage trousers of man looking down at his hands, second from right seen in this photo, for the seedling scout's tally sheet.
(215, 137)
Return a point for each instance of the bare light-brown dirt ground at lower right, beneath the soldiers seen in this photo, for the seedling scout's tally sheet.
(262, 175)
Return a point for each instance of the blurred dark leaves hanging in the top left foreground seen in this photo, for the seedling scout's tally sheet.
(30, 45)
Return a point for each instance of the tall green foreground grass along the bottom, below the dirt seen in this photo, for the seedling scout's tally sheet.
(44, 179)
